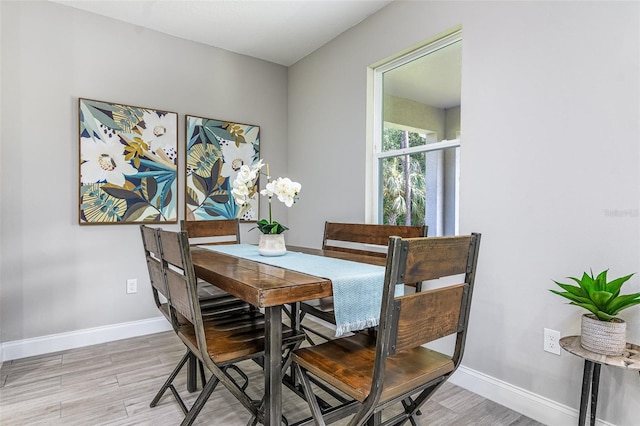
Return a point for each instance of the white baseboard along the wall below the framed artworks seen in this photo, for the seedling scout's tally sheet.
(76, 339)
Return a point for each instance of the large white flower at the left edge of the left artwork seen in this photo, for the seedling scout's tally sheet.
(104, 161)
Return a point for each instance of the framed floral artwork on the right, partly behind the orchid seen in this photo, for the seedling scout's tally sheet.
(216, 150)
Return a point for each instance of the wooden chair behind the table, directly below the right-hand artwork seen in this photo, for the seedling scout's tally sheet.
(214, 232)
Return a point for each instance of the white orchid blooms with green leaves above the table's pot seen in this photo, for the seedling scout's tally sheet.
(244, 188)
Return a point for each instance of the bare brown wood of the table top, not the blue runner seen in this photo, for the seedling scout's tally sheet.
(264, 285)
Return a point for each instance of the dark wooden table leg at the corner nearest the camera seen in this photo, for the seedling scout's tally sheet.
(273, 365)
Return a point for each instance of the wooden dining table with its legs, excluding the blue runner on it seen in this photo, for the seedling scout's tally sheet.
(270, 288)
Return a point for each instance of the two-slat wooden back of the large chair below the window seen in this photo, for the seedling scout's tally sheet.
(415, 319)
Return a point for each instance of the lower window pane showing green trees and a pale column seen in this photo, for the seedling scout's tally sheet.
(421, 189)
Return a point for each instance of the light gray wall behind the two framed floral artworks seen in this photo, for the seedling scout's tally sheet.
(58, 276)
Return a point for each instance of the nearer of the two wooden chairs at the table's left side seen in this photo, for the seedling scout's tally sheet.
(219, 341)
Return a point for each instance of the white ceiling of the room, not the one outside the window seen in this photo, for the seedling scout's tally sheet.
(280, 31)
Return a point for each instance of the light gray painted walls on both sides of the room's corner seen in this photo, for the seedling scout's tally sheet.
(550, 107)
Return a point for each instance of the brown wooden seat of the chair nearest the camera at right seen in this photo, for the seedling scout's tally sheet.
(347, 364)
